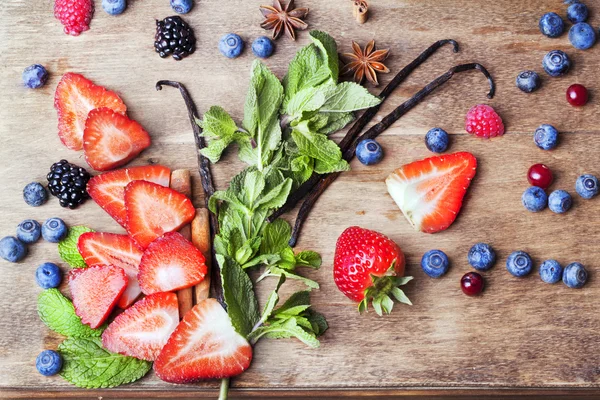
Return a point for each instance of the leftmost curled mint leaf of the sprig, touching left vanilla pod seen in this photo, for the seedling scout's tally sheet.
(221, 131)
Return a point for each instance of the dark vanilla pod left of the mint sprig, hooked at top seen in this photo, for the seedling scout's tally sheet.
(205, 177)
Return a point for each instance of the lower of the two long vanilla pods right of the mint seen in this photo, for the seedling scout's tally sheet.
(376, 130)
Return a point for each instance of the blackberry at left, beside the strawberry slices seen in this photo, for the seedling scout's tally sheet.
(68, 183)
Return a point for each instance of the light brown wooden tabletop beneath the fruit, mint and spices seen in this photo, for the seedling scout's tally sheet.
(521, 335)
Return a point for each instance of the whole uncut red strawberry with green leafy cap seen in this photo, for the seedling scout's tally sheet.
(369, 267)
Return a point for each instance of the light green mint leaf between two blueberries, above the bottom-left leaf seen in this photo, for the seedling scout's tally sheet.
(58, 313)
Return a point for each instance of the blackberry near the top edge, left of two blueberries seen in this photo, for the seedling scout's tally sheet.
(174, 37)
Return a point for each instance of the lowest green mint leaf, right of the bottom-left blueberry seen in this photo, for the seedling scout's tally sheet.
(86, 364)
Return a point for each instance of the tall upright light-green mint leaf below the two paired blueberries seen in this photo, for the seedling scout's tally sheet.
(263, 101)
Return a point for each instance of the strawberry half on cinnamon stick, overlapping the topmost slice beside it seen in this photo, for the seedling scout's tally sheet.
(153, 210)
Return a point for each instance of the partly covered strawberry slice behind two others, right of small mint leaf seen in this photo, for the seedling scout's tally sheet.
(99, 248)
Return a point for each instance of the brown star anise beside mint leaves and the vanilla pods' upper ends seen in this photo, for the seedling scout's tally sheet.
(365, 63)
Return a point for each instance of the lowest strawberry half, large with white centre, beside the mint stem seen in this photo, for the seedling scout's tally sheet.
(204, 346)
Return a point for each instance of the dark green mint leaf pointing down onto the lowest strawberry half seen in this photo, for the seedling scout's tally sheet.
(238, 292)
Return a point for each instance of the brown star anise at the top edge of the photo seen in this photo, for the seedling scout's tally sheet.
(285, 18)
